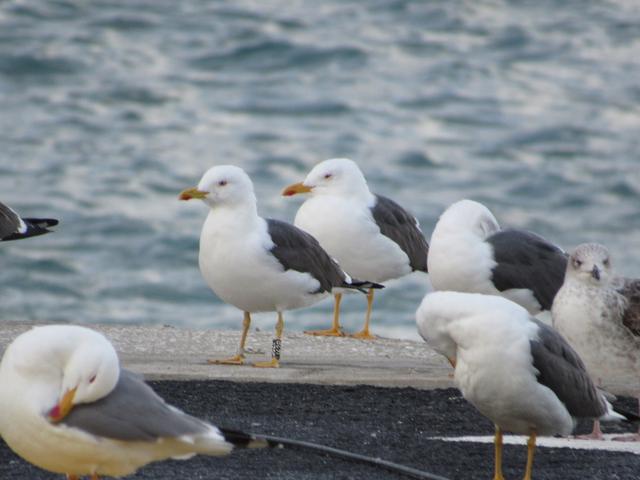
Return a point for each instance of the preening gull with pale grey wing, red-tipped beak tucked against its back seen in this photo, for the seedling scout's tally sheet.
(66, 406)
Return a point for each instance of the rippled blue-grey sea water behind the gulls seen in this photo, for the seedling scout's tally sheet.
(109, 108)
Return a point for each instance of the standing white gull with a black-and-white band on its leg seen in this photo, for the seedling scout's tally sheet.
(257, 264)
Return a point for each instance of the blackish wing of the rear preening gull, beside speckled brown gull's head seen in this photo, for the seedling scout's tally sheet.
(526, 260)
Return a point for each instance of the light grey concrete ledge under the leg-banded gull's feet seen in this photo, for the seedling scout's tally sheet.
(164, 352)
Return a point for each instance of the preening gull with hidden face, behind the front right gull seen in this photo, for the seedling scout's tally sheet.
(469, 252)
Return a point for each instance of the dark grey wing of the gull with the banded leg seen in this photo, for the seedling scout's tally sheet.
(297, 250)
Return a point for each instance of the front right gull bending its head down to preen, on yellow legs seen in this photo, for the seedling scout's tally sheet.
(517, 371)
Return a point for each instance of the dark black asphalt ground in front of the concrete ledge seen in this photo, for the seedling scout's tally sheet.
(391, 423)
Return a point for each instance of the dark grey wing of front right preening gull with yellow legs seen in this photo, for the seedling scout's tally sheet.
(561, 370)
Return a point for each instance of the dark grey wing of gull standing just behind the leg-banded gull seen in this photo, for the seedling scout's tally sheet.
(401, 227)
